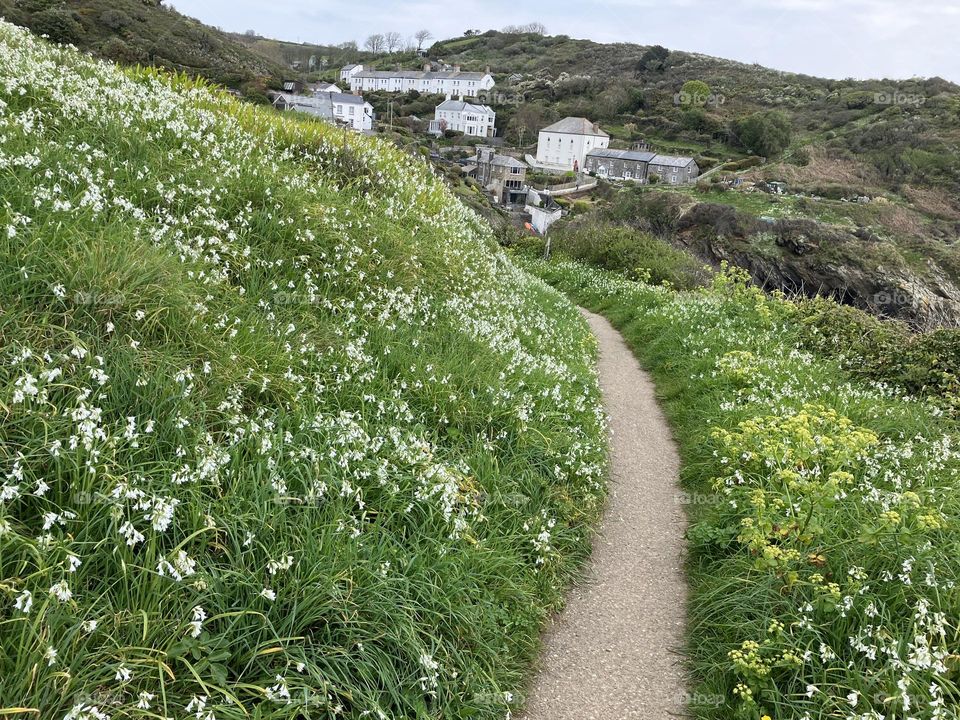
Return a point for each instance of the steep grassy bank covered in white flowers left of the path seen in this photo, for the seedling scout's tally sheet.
(283, 434)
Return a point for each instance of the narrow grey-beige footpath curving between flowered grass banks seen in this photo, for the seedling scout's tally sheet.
(613, 653)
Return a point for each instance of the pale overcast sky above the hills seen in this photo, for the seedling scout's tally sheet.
(829, 38)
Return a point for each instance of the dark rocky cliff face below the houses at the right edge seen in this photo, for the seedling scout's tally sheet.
(803, 257)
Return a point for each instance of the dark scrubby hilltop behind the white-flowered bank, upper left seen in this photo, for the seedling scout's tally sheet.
(146, 32)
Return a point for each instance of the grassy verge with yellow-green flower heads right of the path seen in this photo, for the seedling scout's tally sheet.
(824, 540)
